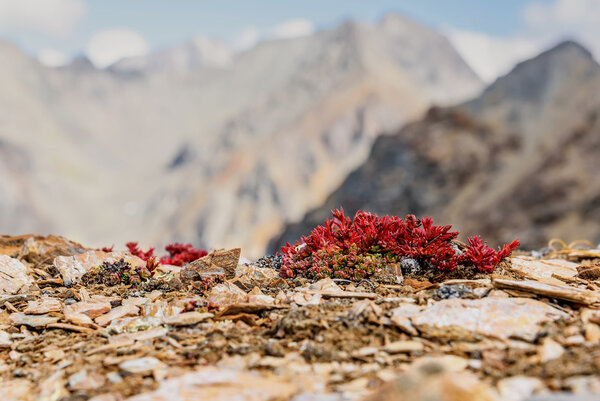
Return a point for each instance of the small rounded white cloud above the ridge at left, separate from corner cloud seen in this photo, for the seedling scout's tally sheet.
(107, 47)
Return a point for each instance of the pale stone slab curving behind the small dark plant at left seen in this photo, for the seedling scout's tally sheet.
(71, 268)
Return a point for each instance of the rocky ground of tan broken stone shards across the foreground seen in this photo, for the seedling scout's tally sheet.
(531, 330)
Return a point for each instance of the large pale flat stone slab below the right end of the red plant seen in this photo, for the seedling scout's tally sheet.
(468, 319)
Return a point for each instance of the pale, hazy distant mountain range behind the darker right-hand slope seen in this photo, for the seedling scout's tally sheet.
(212, 153)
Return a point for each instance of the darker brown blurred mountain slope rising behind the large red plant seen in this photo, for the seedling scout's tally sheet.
(519, 160)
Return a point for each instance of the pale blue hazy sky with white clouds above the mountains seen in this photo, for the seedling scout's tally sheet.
(491, 36)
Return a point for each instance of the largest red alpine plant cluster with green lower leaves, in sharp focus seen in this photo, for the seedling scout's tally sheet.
(356, 248)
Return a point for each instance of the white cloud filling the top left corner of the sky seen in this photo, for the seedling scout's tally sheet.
(49, 17)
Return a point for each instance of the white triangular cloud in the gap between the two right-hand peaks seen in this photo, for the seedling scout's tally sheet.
(491, 56)
